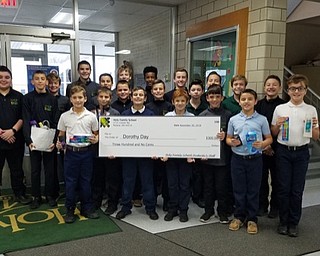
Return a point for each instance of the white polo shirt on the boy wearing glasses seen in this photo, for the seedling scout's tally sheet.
(297, 115)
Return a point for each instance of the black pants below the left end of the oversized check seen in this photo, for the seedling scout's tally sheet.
(107, 176)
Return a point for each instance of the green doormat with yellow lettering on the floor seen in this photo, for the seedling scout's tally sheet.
(22, 228)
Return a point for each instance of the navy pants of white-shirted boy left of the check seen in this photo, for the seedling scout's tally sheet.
(78, 175)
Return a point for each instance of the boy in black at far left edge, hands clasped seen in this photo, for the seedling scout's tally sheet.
(11, 137)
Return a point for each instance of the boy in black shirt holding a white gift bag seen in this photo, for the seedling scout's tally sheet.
(39, 106)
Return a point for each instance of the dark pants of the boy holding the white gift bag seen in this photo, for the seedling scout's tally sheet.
(50, 173)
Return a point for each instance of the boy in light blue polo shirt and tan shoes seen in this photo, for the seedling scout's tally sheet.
(248, 133)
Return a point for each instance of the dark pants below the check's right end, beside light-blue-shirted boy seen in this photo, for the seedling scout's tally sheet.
(215, 187)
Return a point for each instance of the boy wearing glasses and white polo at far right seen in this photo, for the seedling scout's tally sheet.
(294, 123)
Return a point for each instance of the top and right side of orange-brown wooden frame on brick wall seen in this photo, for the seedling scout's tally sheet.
(237, 18)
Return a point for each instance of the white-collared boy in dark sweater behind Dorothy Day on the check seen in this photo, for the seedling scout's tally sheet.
(131, 166)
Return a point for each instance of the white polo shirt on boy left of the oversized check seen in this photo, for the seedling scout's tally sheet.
(74, 124)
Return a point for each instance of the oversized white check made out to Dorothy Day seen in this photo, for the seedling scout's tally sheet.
(178, 137)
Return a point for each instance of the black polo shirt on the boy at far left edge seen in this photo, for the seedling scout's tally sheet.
(10, 113)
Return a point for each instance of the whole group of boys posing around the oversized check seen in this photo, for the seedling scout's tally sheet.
(238, 180)
